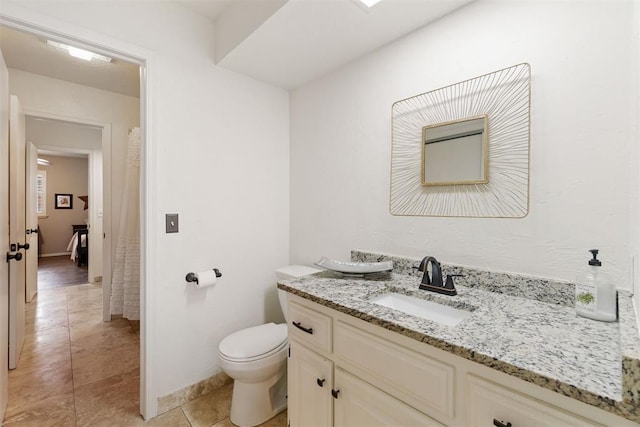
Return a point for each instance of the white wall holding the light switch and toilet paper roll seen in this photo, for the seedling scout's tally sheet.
(221, 161)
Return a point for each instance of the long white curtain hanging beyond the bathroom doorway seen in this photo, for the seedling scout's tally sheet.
(125, 283)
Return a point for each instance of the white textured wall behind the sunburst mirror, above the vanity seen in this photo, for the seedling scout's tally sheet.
(584, 156)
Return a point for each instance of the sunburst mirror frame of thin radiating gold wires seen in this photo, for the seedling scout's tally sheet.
(503, 97)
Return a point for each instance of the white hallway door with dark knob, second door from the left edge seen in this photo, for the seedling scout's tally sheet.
(17, 235)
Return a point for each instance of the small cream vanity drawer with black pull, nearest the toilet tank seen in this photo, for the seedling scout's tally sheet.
(310, 326)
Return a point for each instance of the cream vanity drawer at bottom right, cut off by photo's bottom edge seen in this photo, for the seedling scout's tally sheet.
(488, 401)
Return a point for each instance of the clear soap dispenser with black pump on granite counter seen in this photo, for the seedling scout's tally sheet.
(596, 296)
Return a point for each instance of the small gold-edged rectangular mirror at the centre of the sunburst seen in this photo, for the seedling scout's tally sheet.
(456, 152)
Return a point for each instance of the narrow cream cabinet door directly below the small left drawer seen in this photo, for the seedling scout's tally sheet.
(309, 377)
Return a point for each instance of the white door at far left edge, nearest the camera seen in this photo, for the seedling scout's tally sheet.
(4, 232)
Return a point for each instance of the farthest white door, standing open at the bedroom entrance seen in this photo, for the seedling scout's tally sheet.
(31, 203)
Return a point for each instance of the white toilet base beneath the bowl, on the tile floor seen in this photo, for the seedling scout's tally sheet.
(255, 403)
